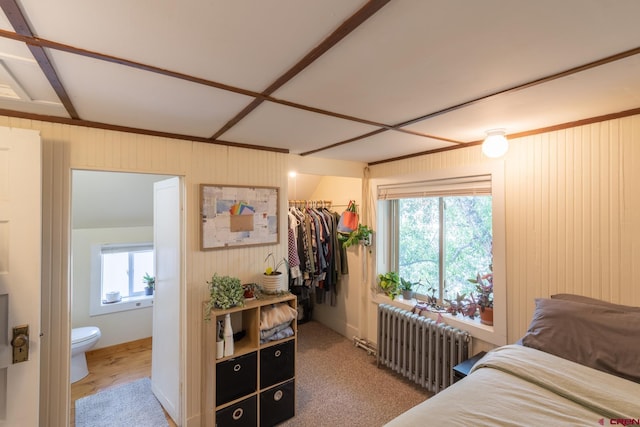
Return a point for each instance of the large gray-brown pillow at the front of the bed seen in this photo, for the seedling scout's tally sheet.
(599, 336)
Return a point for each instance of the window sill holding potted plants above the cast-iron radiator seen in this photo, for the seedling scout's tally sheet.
(473, 326)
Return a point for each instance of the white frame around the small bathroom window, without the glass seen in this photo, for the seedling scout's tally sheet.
(96, 305)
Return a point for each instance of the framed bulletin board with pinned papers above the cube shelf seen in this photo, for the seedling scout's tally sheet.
(232, 216)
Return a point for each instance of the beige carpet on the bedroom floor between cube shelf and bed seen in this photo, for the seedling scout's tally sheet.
(338, 384)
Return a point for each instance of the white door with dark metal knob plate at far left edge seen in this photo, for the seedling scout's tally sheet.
(20, 261)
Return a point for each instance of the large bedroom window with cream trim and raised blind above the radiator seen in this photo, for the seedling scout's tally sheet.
(441, 229)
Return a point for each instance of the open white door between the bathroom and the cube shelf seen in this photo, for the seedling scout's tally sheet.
(165, 357)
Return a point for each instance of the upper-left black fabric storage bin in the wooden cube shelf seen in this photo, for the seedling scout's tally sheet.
(236, 377)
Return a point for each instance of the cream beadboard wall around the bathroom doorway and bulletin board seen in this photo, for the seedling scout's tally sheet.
(66, 147)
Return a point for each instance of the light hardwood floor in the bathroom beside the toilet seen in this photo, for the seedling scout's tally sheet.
(112, 366)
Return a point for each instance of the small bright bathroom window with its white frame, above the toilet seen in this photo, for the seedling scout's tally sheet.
(120, 268)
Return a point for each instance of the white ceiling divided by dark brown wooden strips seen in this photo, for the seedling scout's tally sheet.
(344, 79)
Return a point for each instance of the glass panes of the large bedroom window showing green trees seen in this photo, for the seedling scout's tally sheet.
(443, 242)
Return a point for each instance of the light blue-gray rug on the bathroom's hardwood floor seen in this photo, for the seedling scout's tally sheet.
(131, 404)
